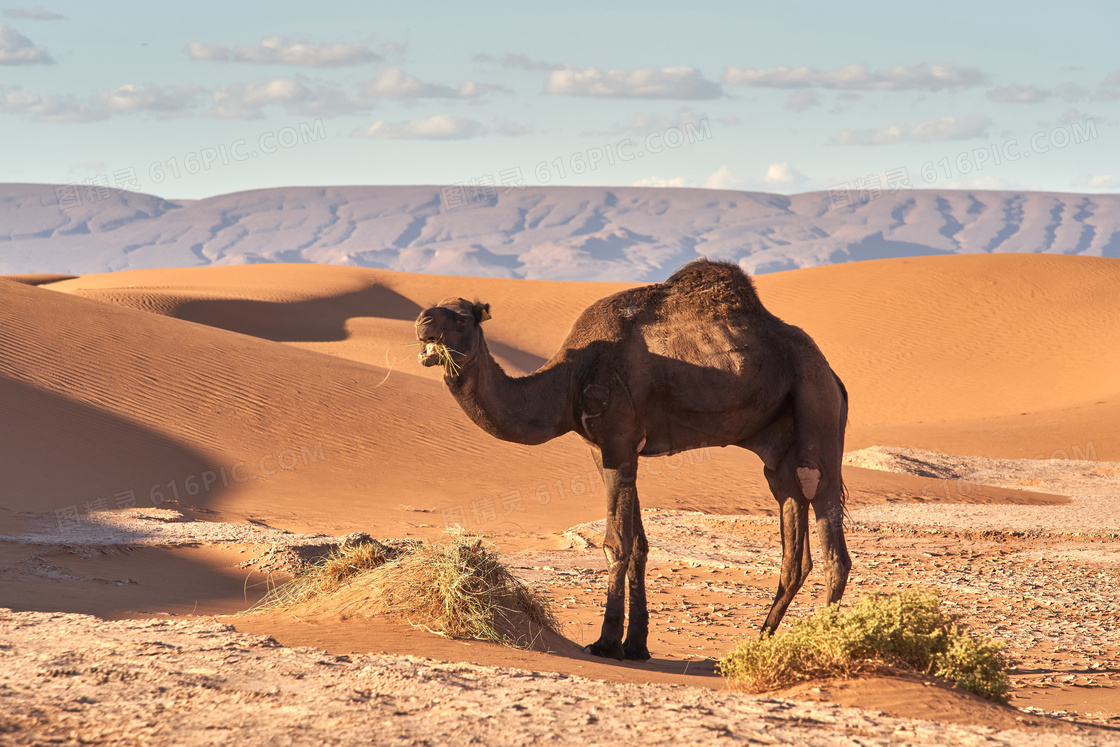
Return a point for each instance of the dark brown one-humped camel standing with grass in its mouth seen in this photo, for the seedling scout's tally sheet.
(694, 362)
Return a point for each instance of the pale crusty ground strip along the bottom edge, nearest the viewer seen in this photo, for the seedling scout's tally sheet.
(73, 679)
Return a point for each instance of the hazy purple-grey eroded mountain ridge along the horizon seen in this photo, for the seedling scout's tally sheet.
(549, 234)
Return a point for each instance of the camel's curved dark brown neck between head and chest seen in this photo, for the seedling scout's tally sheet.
(530, 409)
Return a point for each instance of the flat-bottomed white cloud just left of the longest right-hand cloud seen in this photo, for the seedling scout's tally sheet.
(646, 83)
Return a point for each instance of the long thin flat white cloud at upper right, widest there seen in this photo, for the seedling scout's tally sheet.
(858, 78)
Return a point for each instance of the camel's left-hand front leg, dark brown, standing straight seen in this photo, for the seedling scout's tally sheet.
(620, 472)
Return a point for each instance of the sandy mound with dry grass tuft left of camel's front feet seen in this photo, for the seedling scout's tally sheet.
(458, 589)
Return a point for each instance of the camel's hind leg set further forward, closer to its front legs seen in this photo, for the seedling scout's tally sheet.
(797, 563)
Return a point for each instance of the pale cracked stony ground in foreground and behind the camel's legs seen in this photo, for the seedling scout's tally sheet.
(1046, 583)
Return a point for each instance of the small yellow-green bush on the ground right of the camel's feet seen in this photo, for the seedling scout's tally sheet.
(881, 633)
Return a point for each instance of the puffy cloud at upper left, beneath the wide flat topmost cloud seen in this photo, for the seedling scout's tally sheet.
(245, 101)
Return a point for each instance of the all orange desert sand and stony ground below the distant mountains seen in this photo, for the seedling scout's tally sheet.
(166, 431)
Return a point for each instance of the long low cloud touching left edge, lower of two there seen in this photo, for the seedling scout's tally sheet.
(123, 100)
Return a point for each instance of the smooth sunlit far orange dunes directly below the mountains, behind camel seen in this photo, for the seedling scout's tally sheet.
(991, 356)
